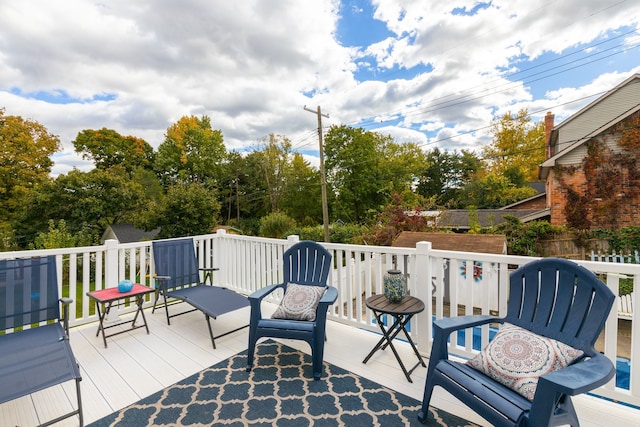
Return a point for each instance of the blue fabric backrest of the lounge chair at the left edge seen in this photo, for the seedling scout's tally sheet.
(28, 291)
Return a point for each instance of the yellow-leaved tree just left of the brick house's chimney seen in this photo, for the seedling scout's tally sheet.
(517, 144)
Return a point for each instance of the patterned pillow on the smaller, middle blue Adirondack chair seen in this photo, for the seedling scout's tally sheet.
(299, 302)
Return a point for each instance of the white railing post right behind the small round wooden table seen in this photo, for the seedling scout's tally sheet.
(424, 292)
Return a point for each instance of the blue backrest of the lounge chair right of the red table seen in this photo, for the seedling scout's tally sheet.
(176, 259)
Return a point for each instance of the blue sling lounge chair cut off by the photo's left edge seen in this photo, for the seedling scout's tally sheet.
(35, 353)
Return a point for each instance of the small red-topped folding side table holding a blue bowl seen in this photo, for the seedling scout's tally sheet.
(106, 297)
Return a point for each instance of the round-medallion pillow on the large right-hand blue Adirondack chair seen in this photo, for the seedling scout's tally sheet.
(517, 358)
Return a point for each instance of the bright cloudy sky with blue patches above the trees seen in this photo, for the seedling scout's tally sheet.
(431, 72)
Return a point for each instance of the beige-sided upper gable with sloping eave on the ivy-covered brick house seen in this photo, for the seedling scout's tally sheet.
(611, 108)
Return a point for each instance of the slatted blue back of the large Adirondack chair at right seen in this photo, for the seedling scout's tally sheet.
(559, 299)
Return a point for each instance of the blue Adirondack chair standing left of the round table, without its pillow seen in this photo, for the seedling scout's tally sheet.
(305, 263)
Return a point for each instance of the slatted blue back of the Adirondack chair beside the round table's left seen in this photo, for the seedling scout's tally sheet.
(307, 263)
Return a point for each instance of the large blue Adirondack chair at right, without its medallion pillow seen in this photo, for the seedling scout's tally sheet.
(553, 298)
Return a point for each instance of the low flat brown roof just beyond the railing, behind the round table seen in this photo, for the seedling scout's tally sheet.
(483, 243)
